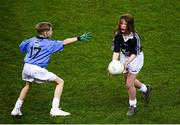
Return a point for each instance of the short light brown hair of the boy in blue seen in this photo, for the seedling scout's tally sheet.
(43, 27)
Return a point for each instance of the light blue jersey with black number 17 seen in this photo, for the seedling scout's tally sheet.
(39, 50)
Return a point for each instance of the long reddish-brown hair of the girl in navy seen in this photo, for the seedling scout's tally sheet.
(130, 23)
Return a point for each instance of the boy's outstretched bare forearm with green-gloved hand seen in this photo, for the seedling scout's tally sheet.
(83, 37)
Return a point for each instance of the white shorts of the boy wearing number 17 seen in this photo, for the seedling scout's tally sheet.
(34, 73)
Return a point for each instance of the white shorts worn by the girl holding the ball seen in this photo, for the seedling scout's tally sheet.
(135, 66)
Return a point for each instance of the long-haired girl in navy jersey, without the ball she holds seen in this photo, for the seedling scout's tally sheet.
(127, 46)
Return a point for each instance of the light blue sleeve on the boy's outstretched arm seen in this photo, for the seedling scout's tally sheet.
(57, 46)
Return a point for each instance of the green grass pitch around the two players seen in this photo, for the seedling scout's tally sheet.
(89, 94)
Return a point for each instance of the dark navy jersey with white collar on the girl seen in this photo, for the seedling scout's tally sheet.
(129, 45)
